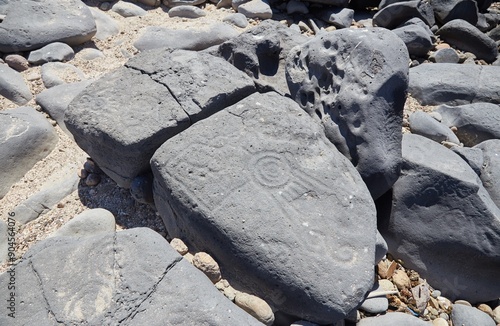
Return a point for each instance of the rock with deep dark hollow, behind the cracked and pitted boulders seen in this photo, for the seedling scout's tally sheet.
(261, 52)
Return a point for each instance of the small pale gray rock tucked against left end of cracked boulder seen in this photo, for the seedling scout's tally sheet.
(56, 100)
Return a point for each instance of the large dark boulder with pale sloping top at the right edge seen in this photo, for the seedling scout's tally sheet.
(443, 223)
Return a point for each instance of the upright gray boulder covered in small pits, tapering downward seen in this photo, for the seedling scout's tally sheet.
(353, 82)
